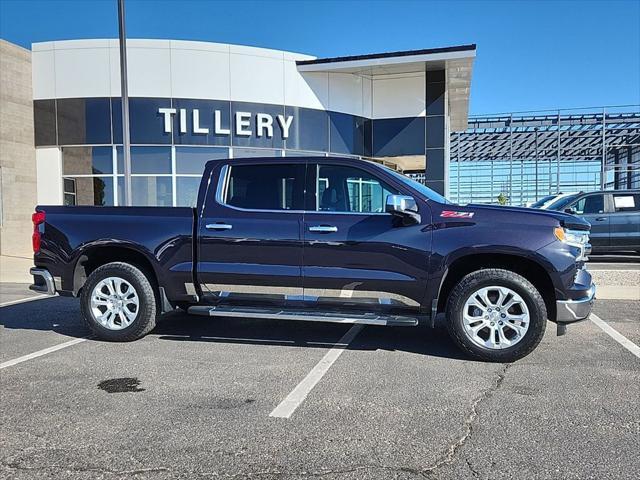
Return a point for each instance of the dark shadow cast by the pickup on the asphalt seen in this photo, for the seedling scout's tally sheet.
(62, 316)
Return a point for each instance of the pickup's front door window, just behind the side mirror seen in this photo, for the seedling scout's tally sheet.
(348, 189)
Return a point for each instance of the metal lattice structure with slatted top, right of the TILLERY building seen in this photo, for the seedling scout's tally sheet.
(521, 158)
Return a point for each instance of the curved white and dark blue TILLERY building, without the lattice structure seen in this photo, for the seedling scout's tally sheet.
(195, 101)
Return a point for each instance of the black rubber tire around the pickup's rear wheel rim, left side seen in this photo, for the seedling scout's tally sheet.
(146, 313)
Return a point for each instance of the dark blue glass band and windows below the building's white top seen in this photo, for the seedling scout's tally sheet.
(172, 139)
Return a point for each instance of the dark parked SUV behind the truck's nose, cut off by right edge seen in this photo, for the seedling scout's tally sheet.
(614, 217)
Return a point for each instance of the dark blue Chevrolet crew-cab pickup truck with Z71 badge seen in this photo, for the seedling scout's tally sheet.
(321, 239)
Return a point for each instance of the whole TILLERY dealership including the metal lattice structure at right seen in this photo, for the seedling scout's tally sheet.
(190, 102)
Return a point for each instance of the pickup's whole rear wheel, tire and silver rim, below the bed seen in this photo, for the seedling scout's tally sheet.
(118, 303)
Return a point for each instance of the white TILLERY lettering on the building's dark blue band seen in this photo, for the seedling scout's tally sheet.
(264, 124)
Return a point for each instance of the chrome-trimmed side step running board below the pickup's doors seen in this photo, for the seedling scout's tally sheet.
(303, 315)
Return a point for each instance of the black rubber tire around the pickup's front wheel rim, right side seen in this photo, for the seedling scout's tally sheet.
(504, 278)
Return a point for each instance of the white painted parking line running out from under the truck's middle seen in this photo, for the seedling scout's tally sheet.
(299, 394)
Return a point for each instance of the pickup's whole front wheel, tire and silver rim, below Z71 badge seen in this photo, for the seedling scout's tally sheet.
(496, 315)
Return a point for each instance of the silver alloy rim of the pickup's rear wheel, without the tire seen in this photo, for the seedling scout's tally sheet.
(114, 303)
